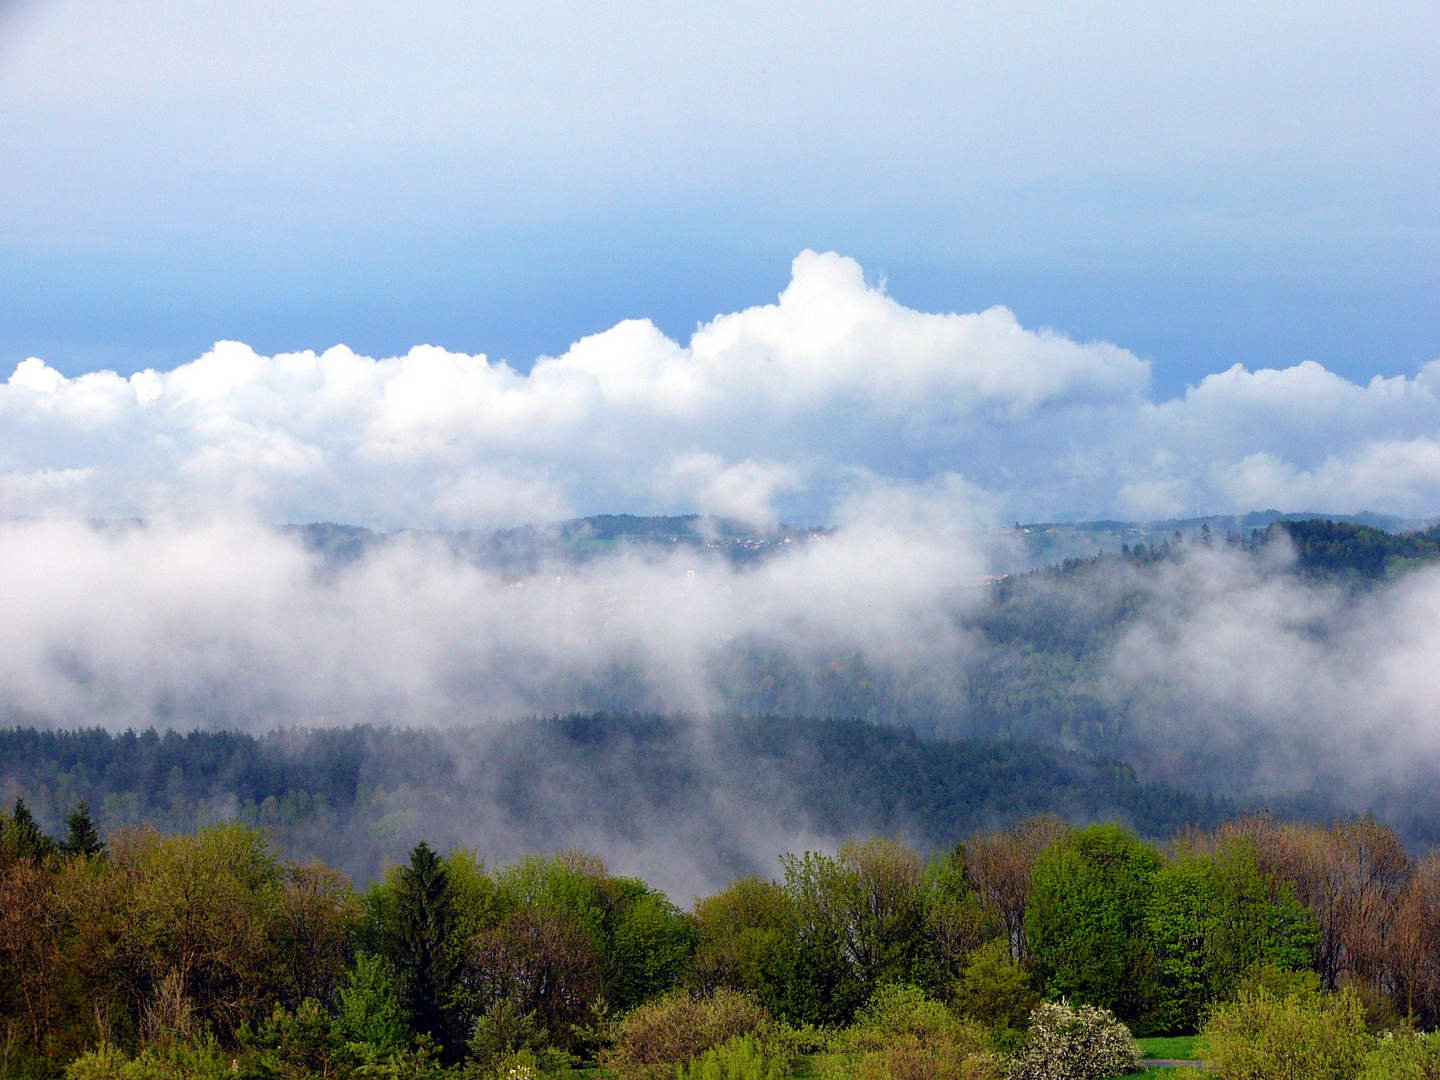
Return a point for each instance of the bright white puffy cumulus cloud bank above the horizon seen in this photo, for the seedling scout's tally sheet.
(781, 411)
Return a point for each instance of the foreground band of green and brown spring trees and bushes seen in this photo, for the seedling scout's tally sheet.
(1030, 953)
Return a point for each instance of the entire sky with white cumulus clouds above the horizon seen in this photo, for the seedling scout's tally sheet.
(483, 264)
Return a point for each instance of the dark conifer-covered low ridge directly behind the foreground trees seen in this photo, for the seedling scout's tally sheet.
(724, 790)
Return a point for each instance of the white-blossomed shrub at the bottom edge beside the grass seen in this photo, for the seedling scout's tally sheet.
(1082, 1043)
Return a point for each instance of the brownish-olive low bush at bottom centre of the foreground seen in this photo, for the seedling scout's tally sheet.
(678, 1029)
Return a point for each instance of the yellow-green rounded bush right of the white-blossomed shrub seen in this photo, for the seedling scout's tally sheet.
(1287, 1036)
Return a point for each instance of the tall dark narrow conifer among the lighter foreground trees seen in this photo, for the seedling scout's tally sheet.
(420, 942)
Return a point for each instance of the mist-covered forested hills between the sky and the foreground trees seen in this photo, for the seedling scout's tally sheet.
(721, 693)
